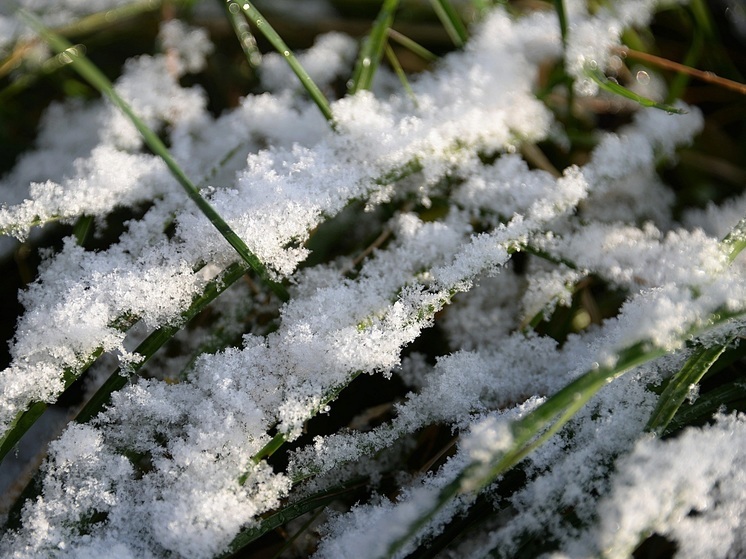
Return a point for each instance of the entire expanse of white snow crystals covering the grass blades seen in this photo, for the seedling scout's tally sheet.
(168, 469)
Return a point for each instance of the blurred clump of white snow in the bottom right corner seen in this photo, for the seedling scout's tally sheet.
(697, 503)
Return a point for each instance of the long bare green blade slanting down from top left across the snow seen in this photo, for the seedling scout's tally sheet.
(88, 71)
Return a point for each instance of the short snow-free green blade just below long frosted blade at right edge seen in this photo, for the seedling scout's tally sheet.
(680, 384)
